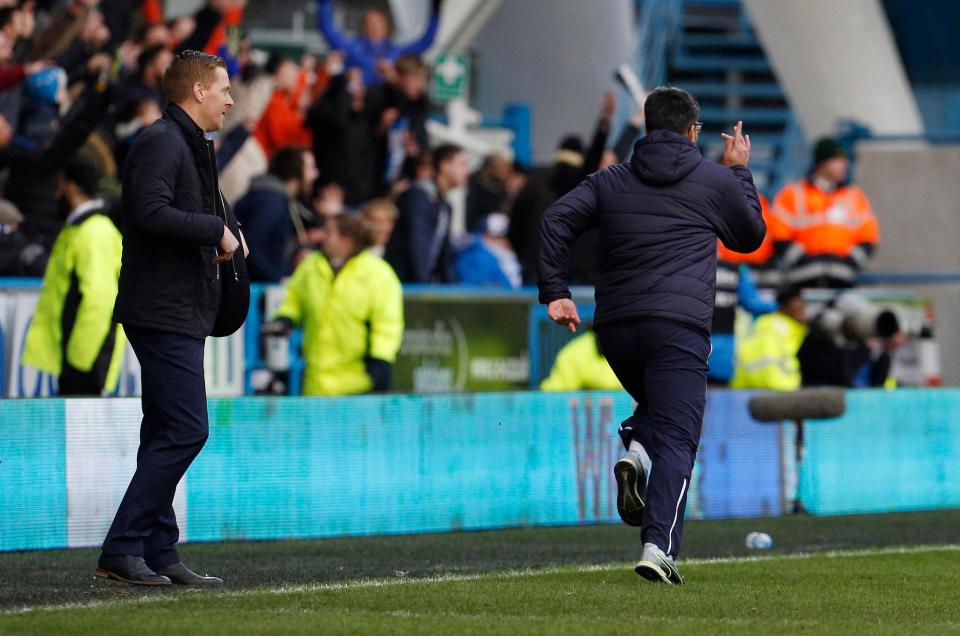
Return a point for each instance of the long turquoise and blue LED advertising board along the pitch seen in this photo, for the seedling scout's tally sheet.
(277, 468)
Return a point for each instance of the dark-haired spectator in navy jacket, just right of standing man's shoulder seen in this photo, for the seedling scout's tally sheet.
(273, 217)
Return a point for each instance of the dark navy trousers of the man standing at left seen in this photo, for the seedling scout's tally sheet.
(173, 431)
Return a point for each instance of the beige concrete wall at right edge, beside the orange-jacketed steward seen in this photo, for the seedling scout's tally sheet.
(916, 197)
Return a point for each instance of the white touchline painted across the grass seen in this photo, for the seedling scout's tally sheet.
(504, 574)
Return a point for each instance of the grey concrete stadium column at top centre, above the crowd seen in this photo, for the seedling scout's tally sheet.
(557, 56)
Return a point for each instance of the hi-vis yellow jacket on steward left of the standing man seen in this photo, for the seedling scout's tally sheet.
(74, 316)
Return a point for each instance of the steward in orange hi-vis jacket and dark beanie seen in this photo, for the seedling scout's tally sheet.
(824, 229)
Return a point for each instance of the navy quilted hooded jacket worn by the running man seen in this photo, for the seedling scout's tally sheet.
(659, 218)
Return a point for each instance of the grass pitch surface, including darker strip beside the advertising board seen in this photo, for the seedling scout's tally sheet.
(555, 580)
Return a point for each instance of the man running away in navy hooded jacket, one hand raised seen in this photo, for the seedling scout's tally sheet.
(659, 218)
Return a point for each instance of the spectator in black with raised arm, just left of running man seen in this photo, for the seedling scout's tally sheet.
(571, 166)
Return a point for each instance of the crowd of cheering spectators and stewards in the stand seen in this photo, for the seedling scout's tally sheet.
(316, 139)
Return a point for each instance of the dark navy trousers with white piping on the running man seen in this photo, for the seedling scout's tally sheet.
(663, 366)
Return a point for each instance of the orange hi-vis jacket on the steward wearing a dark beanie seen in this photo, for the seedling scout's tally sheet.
(830, 234)
